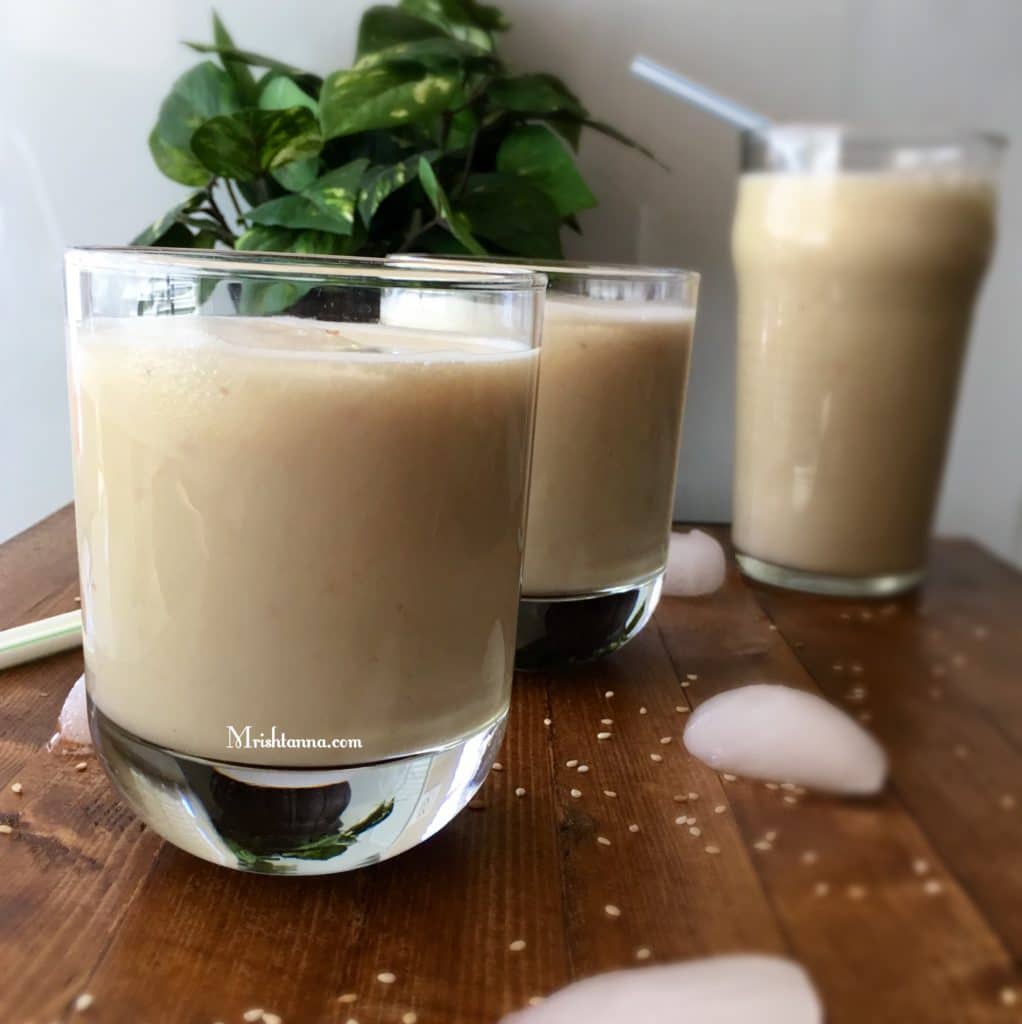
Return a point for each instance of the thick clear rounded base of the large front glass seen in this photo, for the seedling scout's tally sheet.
(294, 822)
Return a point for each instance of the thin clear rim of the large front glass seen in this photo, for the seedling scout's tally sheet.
(365, 272)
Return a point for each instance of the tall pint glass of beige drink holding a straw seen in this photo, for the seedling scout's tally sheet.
(859, 258)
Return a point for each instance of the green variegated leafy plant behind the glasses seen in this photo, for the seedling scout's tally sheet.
(430, 143)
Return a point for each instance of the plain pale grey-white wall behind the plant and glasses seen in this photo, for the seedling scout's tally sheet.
(80, 84)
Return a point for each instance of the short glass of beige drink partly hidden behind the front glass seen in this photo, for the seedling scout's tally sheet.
(614, 370)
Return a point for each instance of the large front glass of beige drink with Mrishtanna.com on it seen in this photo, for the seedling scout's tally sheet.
(301, 538)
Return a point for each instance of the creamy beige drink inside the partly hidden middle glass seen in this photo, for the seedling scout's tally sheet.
(608, 435)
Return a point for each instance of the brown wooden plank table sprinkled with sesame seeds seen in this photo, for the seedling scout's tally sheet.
(907, 910)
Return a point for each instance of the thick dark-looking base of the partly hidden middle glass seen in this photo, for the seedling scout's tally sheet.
(558, 631)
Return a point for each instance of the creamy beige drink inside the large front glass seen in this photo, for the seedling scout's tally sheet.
(292, 526)
